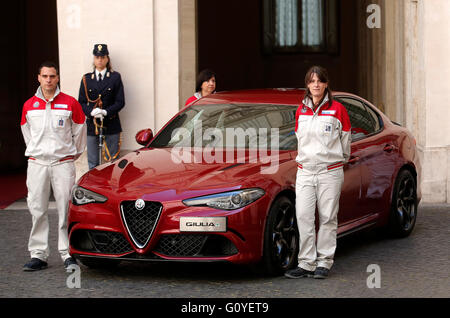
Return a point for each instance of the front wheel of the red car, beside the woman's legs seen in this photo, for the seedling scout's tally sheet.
(280, 238)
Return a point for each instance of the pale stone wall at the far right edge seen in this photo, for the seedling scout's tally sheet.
(433, 85)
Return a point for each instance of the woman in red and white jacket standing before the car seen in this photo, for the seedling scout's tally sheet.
(324, 135)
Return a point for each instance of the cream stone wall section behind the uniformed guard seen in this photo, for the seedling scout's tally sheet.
(151, 43)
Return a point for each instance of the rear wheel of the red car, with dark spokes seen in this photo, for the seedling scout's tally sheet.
(403, 212)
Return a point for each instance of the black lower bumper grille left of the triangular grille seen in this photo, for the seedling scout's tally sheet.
(103, 242)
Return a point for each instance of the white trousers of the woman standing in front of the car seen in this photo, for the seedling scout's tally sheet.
(324, 190)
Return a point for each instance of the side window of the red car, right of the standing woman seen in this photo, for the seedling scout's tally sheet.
(363, 119)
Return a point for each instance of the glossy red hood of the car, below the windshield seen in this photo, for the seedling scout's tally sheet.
(155, 170)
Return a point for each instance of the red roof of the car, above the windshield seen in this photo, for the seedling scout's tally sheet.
(284, 96)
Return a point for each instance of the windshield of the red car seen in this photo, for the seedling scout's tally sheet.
(231, 126)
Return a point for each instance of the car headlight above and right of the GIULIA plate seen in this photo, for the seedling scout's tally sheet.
(227, 200)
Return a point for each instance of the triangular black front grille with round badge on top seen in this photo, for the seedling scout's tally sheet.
(140, 223)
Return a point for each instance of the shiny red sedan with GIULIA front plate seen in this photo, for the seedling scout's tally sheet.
(217, 183)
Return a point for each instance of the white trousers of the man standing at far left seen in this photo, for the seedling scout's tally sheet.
(40, 178)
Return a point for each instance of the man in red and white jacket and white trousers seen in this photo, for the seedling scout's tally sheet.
(53, 126)
